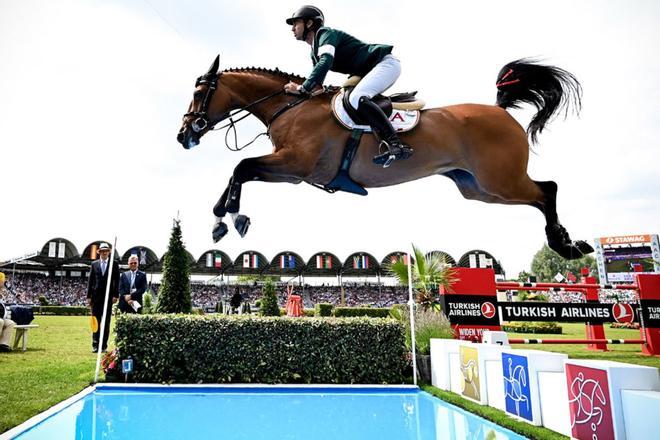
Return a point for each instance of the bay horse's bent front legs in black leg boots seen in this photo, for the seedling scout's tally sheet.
(275, 167)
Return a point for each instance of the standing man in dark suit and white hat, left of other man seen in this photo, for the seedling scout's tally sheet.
(98, 279)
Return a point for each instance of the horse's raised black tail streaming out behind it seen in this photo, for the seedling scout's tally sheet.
(548, 88)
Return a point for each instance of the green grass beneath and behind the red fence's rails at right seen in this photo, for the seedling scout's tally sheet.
(630, 353)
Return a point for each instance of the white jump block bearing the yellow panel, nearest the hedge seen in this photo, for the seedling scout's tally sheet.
(470, 375)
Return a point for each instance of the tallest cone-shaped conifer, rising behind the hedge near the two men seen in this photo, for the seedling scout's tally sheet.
(174, 294)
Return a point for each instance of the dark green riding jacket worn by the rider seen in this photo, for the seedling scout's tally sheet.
(337, 51)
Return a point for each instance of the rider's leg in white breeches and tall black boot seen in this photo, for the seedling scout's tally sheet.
(379, 79)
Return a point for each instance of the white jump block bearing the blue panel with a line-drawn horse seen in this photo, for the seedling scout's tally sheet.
(520, 380)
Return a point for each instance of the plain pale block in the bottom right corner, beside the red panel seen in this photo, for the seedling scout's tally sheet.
(640, 412)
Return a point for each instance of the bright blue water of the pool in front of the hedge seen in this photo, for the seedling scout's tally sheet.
(263, 413)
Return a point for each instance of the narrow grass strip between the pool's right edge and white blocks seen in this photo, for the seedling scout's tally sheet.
(494, 415)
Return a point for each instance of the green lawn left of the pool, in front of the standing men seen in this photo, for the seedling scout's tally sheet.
(58, 363)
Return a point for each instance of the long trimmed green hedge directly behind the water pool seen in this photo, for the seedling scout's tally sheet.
(218, 349)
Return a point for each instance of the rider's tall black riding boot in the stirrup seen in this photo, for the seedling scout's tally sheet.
(374, 116)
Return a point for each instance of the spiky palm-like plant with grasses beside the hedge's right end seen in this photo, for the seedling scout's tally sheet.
(429, 272)
